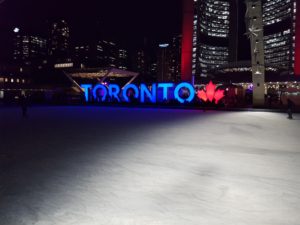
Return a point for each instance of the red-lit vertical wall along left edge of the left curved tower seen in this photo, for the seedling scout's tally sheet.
(187, 40)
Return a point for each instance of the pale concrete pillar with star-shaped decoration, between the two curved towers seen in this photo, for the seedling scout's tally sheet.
(255, 32)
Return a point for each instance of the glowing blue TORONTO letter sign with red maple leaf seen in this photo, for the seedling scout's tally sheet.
(182, 92)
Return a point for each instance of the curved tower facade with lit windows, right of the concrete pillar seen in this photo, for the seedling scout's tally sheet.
(279, 19)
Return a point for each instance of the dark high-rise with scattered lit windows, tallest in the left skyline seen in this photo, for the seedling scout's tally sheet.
(59, 42)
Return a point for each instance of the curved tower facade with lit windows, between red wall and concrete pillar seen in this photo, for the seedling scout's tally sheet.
(213, 35)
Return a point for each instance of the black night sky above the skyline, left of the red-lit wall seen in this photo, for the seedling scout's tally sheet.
(127, 22)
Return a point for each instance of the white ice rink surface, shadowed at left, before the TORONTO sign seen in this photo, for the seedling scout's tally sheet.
(121, 166)
